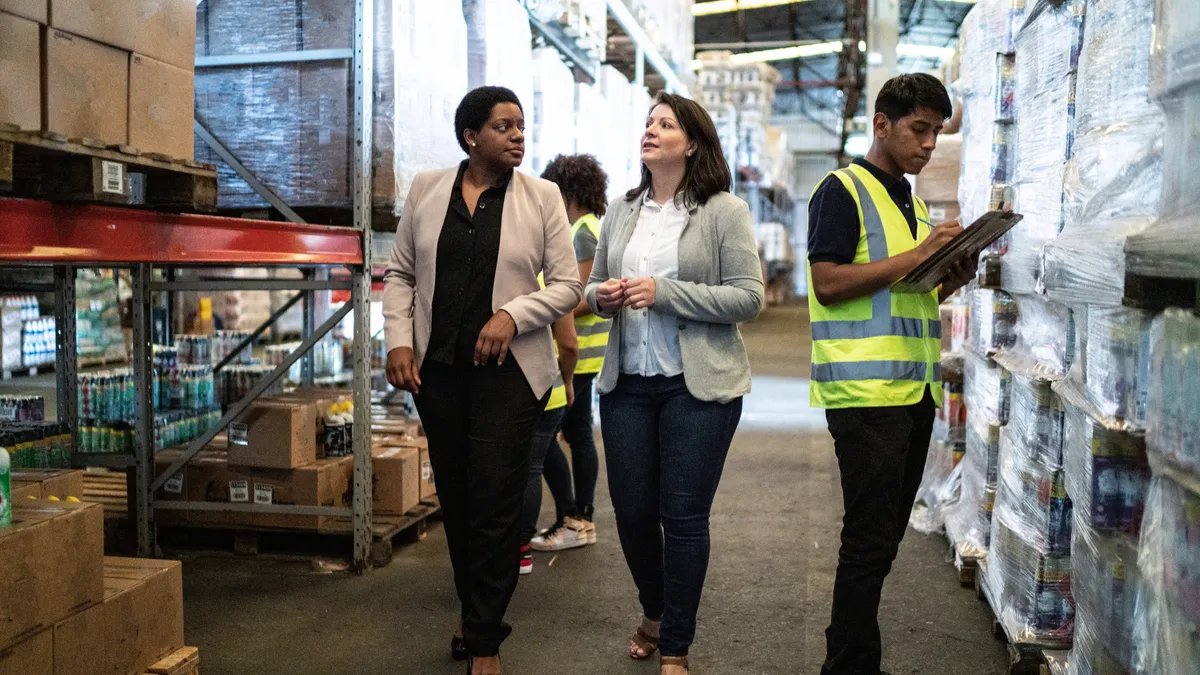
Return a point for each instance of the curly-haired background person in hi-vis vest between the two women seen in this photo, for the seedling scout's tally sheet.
(584, 186)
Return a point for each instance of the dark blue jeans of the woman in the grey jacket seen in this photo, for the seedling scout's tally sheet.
(665, 451)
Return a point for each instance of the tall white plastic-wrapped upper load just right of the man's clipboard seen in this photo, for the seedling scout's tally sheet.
(1048, 50)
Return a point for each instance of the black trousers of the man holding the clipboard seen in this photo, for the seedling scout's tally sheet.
(881, 453)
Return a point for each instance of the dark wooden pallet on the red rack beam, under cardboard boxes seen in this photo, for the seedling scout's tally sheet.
(51, 166)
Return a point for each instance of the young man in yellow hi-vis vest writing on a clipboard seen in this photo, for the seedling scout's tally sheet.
(877, 354)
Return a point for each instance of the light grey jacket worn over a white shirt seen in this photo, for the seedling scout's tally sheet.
(719, 286)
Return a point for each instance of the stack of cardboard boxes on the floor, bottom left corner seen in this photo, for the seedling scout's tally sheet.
(69, 611)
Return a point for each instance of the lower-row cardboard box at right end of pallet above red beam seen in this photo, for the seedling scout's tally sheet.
(161, 109)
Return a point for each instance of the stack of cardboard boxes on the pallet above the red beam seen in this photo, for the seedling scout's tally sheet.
(118, 71)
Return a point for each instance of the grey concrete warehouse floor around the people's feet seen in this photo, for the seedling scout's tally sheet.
(766, 606)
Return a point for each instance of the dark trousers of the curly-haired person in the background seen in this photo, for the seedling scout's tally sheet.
(575, 498)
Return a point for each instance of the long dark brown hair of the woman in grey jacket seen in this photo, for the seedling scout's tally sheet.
(706, 172)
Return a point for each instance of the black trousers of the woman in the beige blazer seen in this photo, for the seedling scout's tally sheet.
(479, 422)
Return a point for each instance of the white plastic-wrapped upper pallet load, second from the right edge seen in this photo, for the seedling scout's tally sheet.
(1115, 177)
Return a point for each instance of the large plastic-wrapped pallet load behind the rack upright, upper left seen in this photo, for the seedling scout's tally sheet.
(291, 123)
